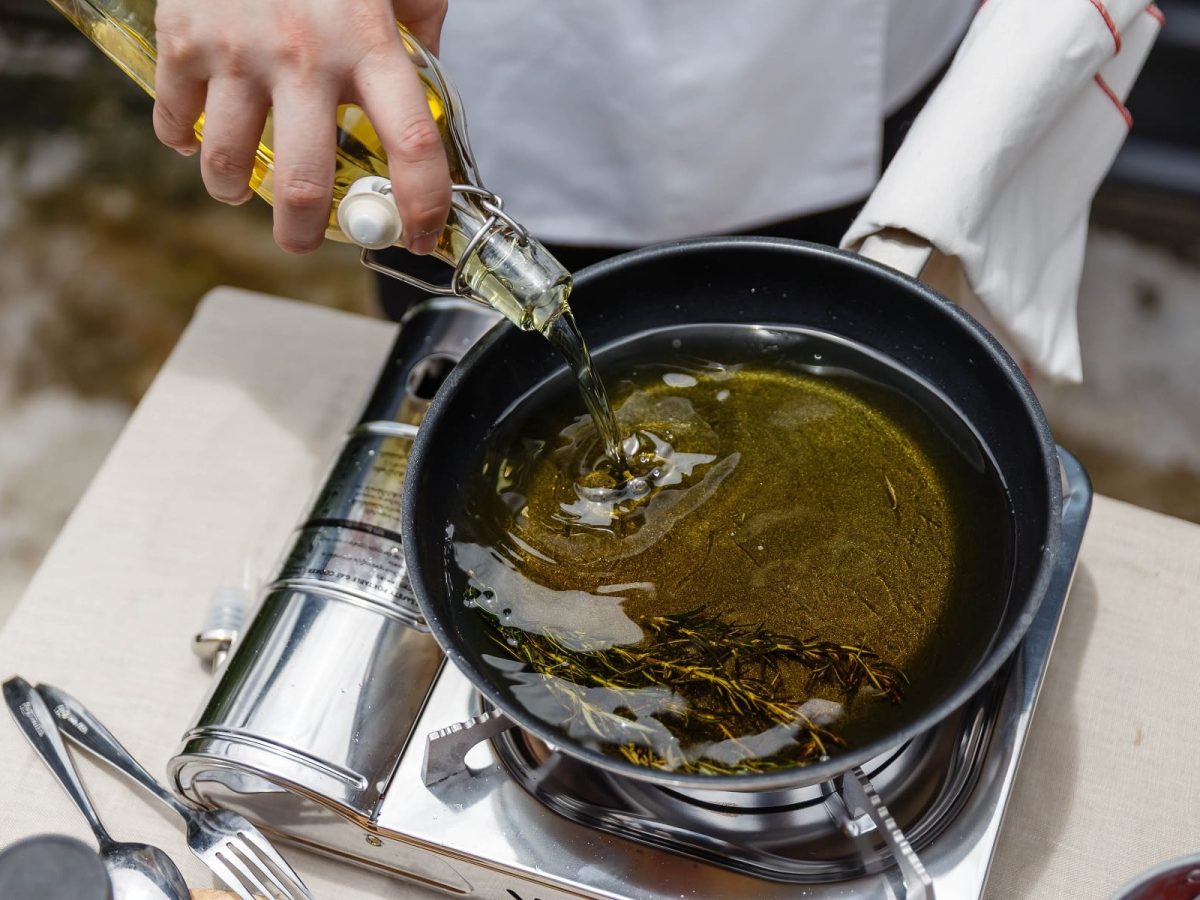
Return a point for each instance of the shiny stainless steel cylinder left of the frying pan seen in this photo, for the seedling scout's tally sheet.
(311, 713)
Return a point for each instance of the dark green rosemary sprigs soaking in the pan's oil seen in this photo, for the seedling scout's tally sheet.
(729, 680)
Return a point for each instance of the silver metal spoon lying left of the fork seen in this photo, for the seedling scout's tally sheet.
(139, 872)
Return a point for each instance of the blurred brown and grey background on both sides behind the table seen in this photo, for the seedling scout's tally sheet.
(110, 242)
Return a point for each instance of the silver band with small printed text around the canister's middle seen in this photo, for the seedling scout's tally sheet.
(357, 559)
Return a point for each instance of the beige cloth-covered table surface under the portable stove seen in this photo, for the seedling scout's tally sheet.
(226, 449)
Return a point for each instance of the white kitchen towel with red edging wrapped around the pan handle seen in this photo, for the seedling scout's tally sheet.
(999, 171)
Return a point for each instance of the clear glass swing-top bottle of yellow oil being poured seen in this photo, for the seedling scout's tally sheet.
(495, 260)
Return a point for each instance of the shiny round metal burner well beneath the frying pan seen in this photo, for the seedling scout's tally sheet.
(803, 836)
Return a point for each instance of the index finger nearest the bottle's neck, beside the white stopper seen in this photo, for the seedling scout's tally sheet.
(393, 97)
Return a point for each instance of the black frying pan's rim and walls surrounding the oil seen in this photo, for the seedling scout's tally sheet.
(743, 280)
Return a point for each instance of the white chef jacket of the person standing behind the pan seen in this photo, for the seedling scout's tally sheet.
(622, 123)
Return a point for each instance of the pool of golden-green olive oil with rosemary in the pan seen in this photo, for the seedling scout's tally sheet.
(799, 559)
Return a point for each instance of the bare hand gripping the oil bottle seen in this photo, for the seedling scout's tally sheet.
(236, 59)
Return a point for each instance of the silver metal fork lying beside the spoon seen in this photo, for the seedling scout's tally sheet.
(225, 842)
